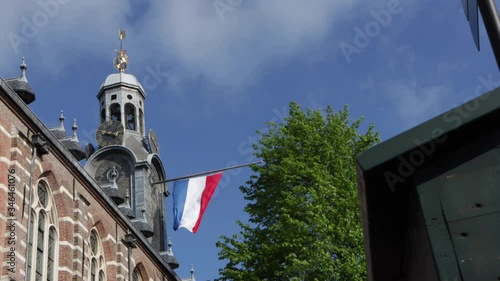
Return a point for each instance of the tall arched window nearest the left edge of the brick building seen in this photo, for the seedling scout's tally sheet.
(42, 241)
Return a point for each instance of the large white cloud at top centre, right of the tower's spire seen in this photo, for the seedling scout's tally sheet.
(232, 51)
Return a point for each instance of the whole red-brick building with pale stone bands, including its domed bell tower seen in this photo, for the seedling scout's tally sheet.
(64, 221)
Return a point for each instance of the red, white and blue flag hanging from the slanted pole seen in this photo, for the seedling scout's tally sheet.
(191, 197)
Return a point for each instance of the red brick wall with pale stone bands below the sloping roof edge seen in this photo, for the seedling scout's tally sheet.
(79, 207)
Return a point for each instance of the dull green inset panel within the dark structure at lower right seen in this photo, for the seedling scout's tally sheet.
(462, 217)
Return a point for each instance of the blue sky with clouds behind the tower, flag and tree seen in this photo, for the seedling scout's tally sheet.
(216, 71)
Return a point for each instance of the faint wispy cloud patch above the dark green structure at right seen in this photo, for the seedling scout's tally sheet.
(415, 96)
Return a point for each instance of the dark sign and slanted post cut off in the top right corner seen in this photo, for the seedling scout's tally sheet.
(491, 22)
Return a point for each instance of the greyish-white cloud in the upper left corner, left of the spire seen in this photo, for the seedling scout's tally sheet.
(51, 32)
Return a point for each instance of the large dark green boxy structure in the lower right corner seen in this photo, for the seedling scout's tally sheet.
(429, 198)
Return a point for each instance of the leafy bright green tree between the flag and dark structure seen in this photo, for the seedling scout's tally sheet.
(304, 208)
